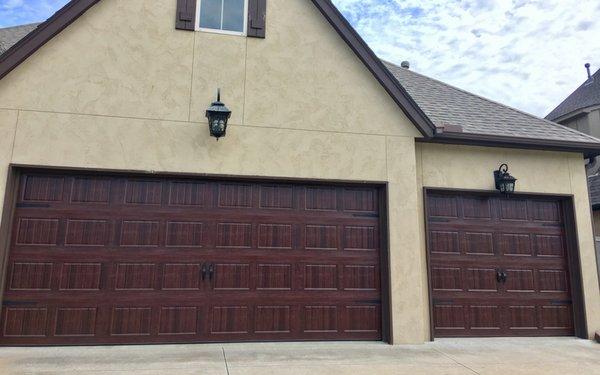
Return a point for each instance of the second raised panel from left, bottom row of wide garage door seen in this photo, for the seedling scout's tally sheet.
(75, 322)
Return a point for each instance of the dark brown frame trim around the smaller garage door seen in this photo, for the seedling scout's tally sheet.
(573, 251)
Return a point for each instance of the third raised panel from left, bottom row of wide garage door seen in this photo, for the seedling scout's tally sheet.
(131, 321)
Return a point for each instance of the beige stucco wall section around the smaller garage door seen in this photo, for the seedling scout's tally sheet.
(467, 167)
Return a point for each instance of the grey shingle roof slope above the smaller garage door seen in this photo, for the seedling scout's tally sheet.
(447, 105)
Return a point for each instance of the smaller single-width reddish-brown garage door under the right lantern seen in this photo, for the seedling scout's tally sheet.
(498, 266)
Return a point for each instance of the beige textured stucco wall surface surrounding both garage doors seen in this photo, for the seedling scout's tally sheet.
(127, 93)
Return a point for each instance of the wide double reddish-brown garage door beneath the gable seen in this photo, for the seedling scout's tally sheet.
(114, 259)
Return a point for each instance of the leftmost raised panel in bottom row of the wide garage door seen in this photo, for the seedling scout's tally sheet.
(25, 322)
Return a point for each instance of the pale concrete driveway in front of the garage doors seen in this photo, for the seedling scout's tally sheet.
(456, 356)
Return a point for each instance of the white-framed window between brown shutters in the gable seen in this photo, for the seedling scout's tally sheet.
(228, 16)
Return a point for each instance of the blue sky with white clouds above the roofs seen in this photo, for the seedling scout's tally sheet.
(528, 54)
